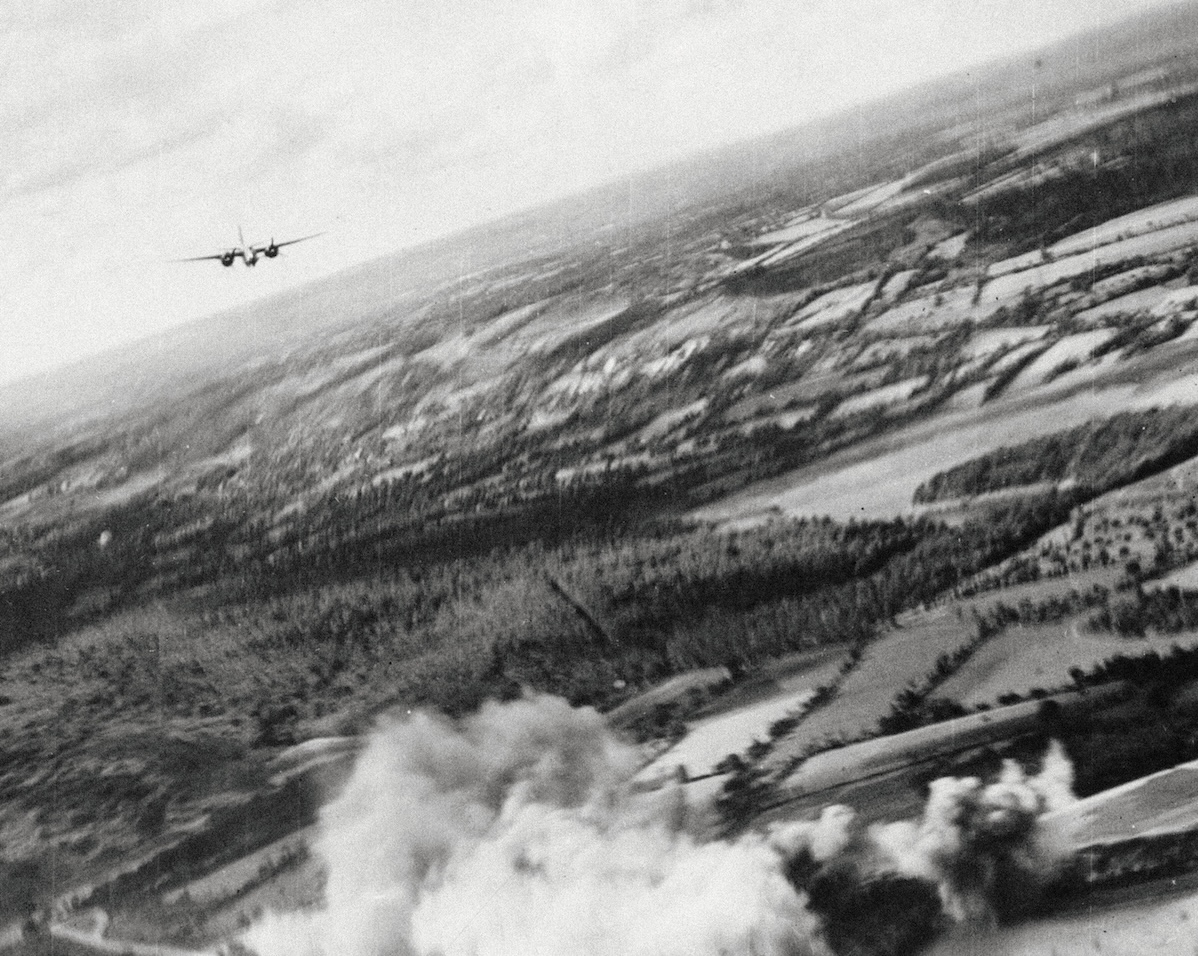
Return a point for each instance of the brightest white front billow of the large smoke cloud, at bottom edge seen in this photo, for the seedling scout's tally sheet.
(555, 884)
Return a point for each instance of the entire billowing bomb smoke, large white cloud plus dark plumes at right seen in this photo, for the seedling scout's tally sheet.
(516, 833)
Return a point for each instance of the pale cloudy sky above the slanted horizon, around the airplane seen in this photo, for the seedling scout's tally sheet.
(137, 132)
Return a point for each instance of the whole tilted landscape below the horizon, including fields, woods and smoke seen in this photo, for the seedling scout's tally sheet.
(792, 549)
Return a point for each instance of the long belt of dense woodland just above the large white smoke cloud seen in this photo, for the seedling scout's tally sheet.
(592, 618)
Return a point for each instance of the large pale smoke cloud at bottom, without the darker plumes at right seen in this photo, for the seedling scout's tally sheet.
(515, 832)
